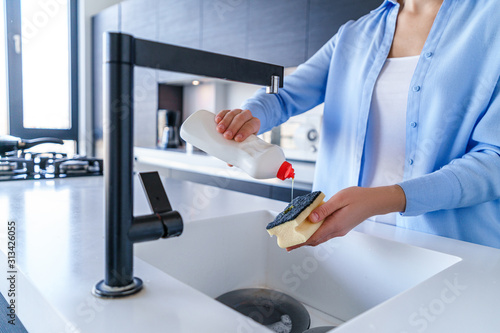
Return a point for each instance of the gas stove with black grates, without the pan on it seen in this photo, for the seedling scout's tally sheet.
(47, 166)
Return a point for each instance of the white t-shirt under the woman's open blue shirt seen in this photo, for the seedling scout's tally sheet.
(386, 135)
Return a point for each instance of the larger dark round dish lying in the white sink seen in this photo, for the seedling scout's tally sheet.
(273, 309)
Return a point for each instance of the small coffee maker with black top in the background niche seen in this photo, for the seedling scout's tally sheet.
(168, 128)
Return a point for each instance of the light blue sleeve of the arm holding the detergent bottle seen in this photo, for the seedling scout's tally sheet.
(302, 90)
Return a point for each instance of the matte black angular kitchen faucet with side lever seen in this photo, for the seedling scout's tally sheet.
(122, 53)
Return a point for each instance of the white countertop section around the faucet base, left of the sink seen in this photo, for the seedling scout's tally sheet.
(60, 252)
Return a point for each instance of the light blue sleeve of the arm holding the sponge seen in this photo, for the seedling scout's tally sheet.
(472, 179)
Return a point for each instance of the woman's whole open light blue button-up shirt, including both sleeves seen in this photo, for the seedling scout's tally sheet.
(452, 163)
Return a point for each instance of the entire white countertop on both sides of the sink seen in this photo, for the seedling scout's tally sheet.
(60, 256)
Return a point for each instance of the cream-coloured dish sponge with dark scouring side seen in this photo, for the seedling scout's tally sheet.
(292, 226)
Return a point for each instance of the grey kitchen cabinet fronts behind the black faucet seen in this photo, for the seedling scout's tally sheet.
(284, 32)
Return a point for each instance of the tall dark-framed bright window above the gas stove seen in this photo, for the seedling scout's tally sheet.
(42, 68)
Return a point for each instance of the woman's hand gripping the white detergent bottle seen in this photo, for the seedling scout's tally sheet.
(237, 124)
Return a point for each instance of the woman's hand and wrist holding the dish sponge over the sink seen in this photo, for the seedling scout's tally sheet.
(351, 206)
